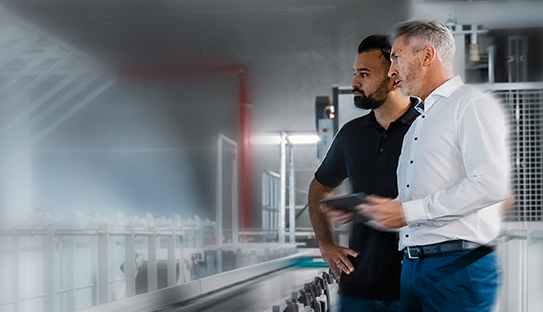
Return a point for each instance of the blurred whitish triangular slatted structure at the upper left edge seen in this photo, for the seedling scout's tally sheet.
(31, 59)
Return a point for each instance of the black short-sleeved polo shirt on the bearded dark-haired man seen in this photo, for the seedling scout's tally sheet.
(367, 154)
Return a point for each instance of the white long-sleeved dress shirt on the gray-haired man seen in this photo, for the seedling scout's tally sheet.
(453, 171)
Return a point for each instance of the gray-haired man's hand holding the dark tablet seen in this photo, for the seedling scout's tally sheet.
(387, 212)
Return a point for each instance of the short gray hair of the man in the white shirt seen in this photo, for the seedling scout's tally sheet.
(427, 32)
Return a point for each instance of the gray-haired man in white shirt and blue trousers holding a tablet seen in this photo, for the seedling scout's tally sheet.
(452, 177)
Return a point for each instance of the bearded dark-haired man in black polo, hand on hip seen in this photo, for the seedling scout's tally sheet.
(366, 151)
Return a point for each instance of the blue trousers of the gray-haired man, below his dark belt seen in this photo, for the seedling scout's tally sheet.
(458, 281)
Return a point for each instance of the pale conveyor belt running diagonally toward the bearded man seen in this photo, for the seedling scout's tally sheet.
(258, 294)
